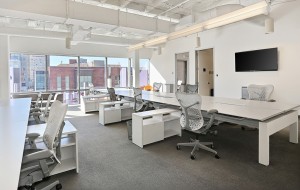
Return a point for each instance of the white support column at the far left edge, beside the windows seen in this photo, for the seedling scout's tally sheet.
(4, 67)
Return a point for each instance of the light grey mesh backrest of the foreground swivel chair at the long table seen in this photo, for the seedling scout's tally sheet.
(191, 117)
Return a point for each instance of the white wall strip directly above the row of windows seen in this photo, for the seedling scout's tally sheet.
(57, 47)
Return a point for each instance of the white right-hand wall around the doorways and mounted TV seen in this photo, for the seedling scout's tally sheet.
(243, 36)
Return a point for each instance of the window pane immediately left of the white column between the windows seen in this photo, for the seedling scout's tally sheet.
(117, 71)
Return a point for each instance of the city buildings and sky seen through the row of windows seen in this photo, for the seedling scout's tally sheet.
(36, 73)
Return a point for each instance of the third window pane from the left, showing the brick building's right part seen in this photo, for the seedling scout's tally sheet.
(92, 70)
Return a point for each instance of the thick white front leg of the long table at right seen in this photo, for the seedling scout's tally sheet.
(263, 144)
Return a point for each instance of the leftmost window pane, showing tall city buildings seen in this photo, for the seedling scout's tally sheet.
(27, 72)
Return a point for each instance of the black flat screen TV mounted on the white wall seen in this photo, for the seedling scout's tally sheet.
(257, 60)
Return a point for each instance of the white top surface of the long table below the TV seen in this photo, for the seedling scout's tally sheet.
(251, 109)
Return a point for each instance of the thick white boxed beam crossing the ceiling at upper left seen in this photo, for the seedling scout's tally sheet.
(79, 13)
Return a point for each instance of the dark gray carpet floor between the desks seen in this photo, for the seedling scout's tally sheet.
(108, 160)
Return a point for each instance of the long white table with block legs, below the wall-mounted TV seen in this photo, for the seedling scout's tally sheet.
(268, 117)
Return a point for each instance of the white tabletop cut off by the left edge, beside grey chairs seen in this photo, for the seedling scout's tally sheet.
(14, 115)
